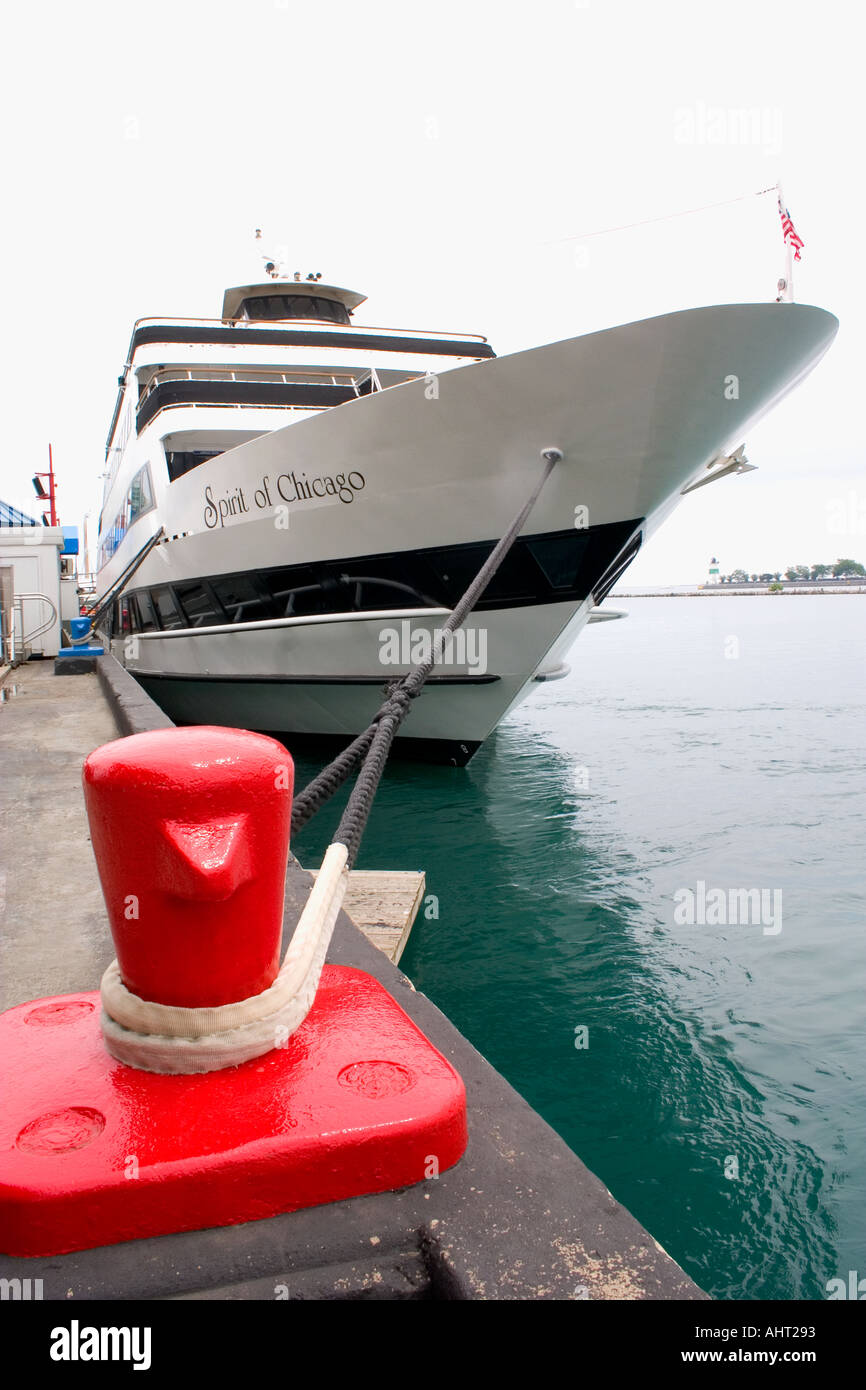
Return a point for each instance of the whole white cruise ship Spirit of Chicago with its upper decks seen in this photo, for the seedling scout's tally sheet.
(308, 498)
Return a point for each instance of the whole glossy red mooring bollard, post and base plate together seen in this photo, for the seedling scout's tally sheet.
(191, 833)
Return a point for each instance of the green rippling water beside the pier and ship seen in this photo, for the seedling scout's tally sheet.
(722, 1092)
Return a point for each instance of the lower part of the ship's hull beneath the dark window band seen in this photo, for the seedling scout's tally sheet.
(325, 680)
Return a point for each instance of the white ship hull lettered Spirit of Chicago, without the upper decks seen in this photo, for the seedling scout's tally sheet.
(639, 414)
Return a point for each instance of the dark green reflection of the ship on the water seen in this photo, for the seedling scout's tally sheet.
(536, 929)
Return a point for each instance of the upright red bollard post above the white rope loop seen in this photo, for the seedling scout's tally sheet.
(191, 835)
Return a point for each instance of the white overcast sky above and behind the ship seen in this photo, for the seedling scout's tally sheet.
(448, 161)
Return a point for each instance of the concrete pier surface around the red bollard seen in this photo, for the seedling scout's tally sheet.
(518, 1218)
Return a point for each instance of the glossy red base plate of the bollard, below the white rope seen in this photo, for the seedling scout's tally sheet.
(94, 1153)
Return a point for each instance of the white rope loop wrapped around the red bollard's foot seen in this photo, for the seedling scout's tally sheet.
(166, 1038)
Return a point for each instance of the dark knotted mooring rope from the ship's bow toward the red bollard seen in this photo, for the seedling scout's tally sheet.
(372, 749)
